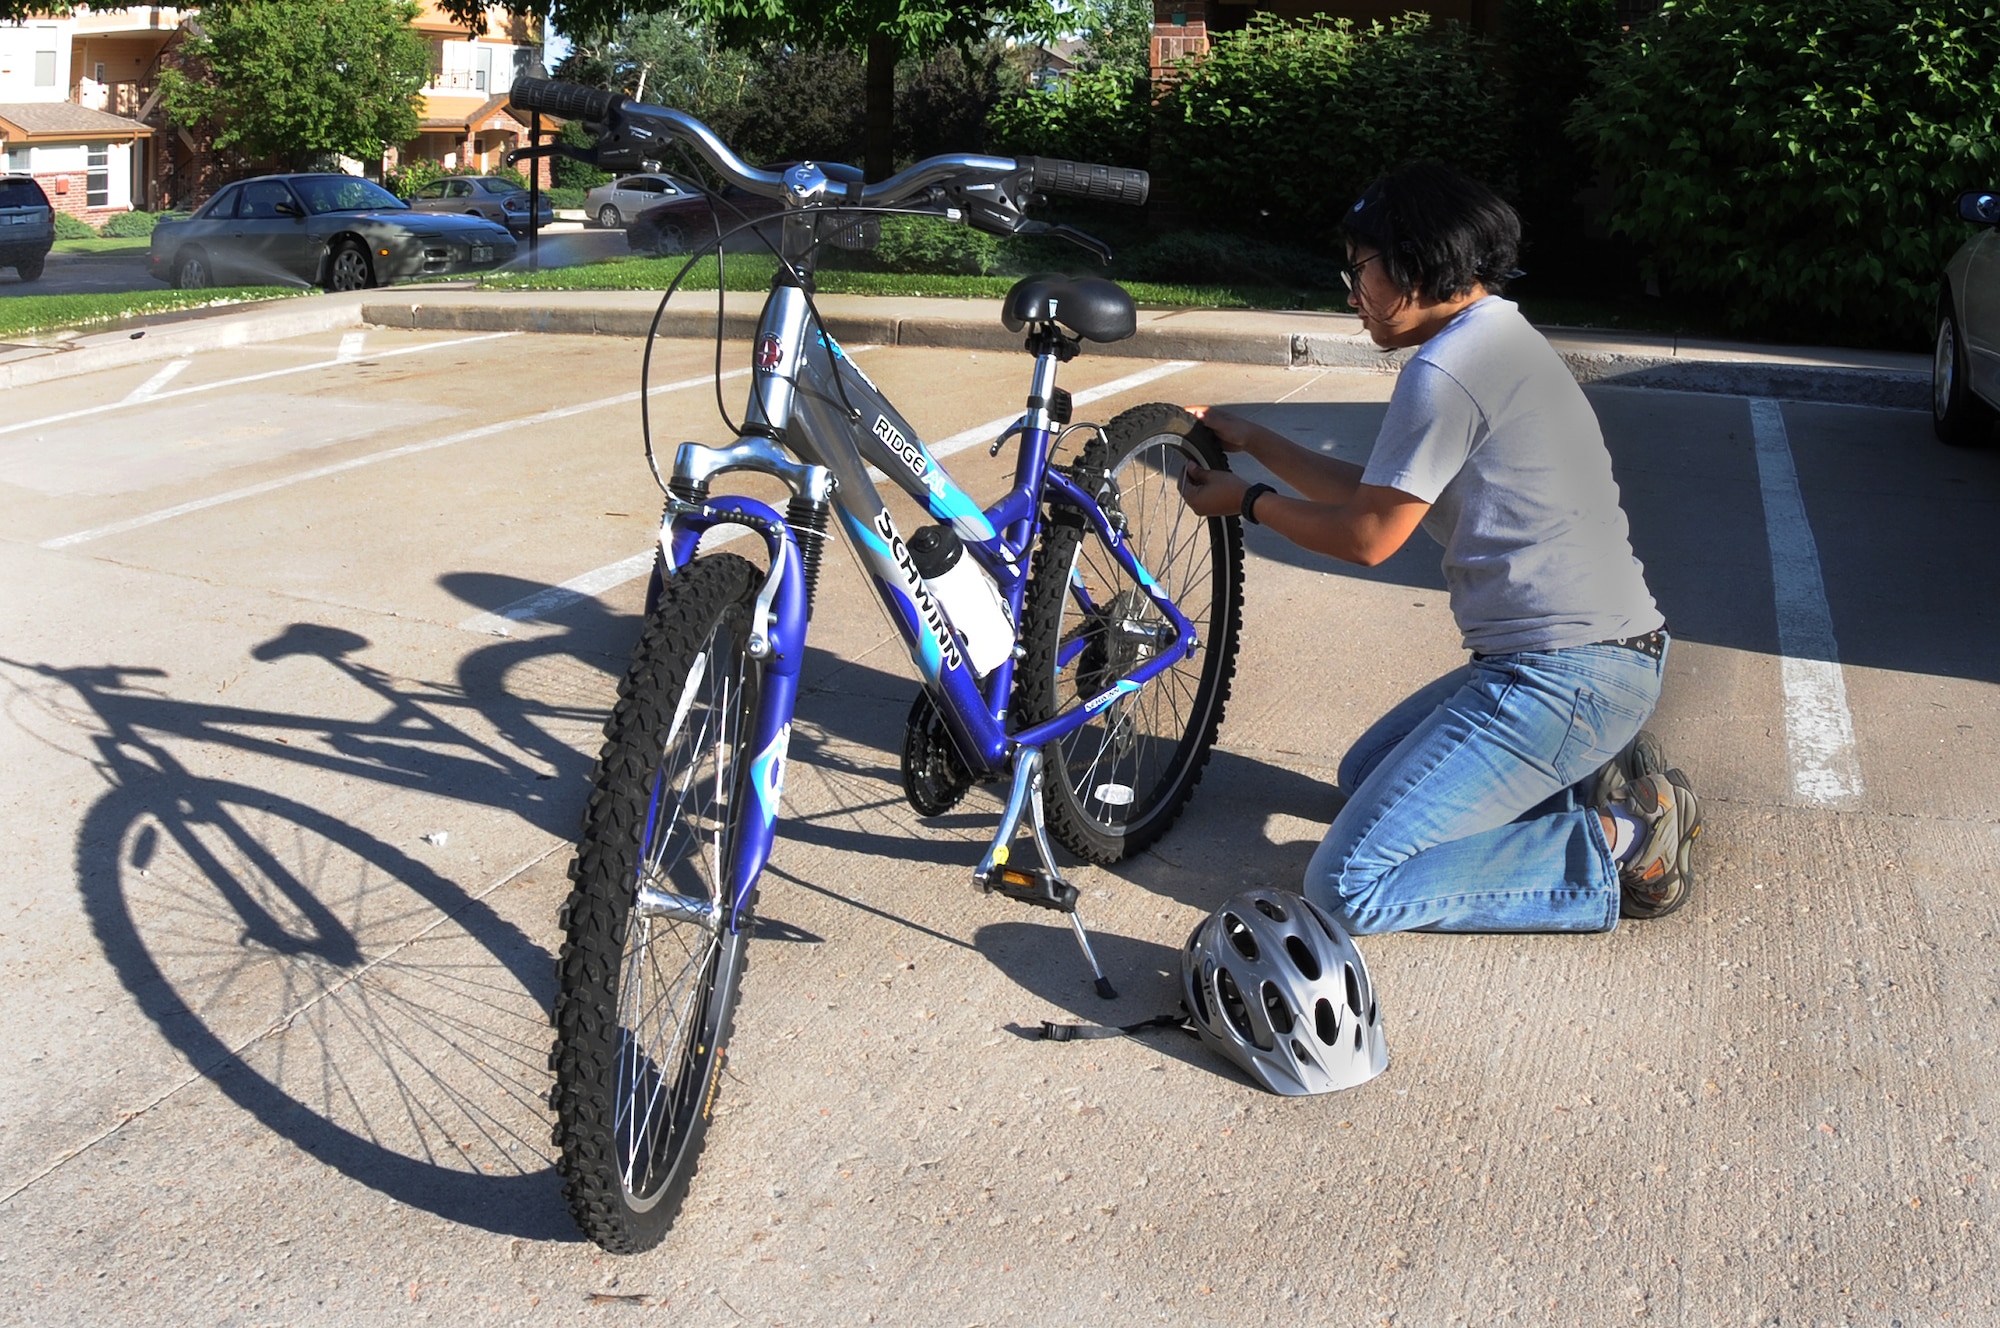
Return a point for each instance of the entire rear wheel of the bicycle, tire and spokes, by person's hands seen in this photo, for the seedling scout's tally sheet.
(1113, 789)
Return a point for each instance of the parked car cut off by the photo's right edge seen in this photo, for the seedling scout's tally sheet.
(1965, 373)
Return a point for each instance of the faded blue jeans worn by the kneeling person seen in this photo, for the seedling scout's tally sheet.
(1469, 807)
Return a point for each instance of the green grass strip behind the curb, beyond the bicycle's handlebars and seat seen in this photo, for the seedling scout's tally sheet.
(755, 273)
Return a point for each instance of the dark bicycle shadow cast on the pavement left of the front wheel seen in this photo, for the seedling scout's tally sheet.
(341, 991)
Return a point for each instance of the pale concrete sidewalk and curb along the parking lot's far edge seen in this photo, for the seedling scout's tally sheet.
(1237, 337)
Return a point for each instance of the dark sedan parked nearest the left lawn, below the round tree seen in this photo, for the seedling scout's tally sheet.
(323, 229)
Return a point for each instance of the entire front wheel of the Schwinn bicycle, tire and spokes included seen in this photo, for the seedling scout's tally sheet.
(633, 1101)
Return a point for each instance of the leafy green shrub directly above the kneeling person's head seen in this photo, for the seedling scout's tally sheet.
(1285, 125)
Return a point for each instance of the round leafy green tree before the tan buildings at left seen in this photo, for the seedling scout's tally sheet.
(299, 81)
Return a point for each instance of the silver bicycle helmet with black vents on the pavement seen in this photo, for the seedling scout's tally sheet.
(1279, 987)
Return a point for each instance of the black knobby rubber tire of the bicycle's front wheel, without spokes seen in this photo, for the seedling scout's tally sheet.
(589, 967)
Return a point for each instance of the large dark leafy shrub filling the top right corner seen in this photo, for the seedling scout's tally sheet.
(1795, 163)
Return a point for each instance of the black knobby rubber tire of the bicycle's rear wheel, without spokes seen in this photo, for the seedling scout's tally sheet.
(1039, 693)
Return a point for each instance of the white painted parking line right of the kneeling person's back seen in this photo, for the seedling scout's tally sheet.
(1819, 731)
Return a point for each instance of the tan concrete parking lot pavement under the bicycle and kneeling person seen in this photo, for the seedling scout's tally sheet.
(305, 641)
